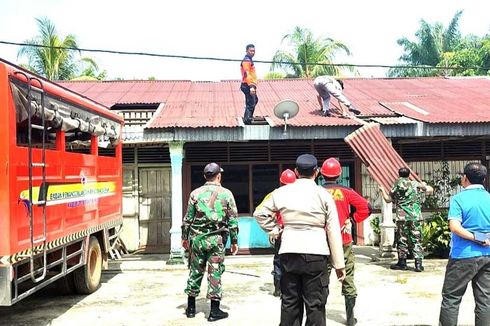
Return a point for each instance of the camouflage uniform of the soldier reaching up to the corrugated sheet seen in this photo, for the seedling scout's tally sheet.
(407, 198)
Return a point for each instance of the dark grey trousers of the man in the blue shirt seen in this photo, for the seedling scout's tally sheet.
(459, 272)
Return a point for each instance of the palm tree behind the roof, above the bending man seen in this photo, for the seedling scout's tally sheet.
(309, 56)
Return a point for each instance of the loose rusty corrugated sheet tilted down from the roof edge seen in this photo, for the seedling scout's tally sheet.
(376, 152)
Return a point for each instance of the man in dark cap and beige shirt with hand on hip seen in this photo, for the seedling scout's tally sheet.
(308, 212)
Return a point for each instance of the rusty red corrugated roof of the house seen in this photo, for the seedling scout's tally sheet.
(189, 104)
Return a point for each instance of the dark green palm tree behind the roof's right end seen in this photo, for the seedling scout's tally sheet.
(432, 42)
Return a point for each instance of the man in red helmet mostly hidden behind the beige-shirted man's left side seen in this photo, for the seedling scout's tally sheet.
(287, 176)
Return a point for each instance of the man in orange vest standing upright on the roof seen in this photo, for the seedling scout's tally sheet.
(249, 84)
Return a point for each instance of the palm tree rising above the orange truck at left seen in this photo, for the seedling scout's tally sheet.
(49, 60)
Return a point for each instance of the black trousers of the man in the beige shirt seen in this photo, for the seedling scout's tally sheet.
(304, 285)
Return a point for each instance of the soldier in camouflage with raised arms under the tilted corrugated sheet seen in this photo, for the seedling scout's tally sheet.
(408, 195)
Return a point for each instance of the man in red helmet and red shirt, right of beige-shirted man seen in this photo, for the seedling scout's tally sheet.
(345, 198)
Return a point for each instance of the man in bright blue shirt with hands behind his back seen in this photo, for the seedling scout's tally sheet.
(469, 214)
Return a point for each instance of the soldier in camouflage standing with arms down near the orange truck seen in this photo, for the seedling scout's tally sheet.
(211, 217)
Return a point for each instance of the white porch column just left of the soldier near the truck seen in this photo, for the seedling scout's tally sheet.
(176, 157)
